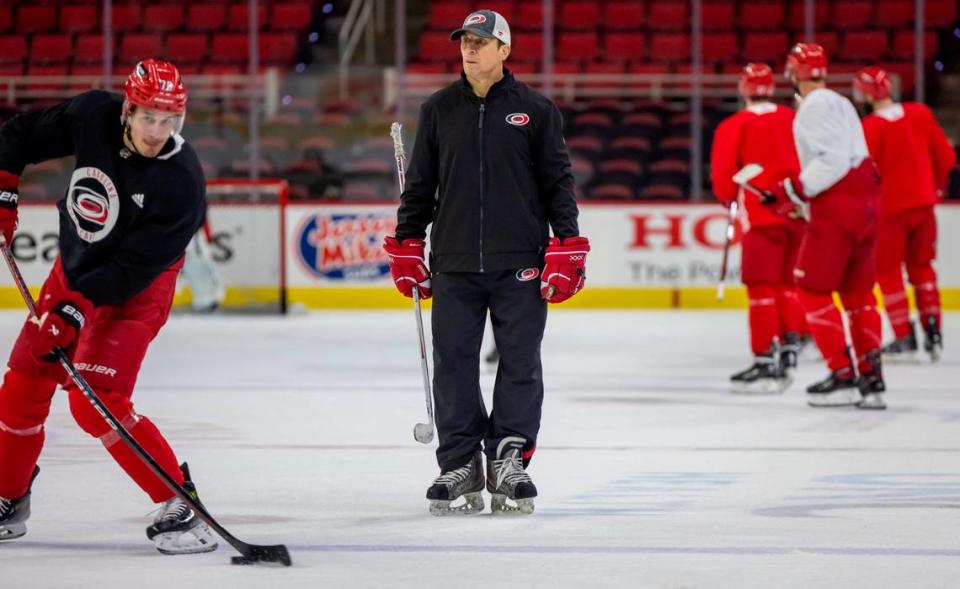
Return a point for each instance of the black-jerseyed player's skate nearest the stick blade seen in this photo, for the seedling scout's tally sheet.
(177, 529)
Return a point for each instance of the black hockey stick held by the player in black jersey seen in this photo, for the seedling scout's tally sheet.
(252, 553)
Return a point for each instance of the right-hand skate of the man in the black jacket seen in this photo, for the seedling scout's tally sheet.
(507, 479)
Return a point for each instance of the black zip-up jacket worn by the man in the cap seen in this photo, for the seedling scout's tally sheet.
(489, 174)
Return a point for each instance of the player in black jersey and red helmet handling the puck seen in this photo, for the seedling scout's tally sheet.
(135, 199)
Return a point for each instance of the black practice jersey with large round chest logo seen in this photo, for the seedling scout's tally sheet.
(124, 218)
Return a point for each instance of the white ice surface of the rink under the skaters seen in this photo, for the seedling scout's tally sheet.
(298, 430)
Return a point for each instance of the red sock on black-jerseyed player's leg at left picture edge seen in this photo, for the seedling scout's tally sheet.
(24, 406)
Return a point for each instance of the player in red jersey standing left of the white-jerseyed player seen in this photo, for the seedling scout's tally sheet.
(762, 133)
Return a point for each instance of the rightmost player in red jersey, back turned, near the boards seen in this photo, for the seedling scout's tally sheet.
(914, 158)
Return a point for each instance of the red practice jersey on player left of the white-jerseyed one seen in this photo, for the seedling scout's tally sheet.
(759, 134)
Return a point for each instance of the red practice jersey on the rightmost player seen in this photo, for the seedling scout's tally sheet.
(912, 153)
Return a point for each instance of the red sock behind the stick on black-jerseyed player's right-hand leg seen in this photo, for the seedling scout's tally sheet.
(147, 434)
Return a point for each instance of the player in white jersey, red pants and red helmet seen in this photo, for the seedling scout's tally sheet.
(840, 183)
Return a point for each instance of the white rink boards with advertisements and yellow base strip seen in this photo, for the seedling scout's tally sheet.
(651, 255)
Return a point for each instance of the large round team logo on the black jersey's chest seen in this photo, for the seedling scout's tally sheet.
(92, 203)
